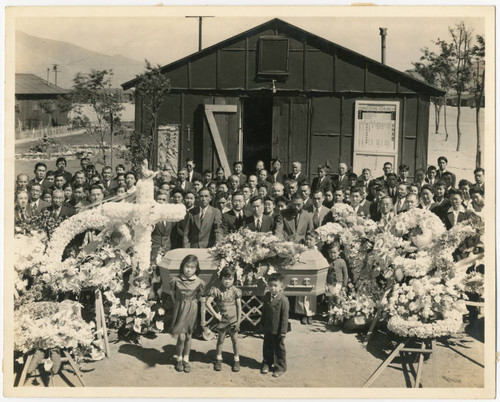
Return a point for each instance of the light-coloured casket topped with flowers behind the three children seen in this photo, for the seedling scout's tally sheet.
(306, 277)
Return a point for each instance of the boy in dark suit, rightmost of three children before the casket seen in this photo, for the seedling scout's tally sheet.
(275, 323)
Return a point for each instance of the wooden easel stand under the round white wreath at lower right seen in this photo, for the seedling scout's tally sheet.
(427, 346)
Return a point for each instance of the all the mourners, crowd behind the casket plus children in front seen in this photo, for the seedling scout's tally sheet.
(217, 204)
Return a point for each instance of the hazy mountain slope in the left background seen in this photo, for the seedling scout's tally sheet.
(34, 55)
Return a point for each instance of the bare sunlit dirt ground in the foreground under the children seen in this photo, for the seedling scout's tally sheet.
(317, 356)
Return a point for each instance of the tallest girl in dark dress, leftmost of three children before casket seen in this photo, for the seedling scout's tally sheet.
(187, 289)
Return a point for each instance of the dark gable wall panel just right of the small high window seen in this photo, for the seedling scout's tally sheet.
(319, 71)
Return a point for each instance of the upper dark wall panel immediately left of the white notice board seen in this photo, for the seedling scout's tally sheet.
(326, 115)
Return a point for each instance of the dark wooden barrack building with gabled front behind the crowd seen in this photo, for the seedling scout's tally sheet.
(279, 91)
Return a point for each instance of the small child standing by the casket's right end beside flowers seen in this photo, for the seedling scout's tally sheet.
(337, 277)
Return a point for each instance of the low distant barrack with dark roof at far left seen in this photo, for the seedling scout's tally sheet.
(36, 103)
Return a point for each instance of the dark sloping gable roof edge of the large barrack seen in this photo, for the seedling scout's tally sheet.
(299, 33)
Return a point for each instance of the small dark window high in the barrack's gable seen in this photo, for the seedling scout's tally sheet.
(273, 56)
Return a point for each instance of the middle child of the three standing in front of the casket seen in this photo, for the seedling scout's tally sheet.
(228, 300)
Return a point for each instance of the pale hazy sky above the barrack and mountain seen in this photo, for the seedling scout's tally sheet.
(166, 39)
